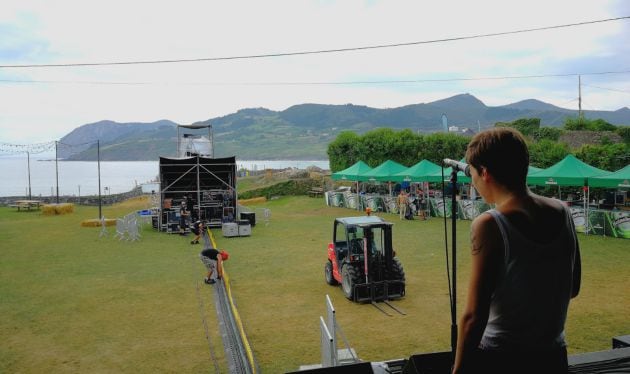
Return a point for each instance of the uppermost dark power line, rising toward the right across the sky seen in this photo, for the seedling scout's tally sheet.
(322, 51)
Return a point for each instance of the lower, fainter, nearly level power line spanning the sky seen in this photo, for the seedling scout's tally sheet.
(306, 83)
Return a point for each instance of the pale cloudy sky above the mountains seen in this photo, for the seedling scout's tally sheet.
(41, 104)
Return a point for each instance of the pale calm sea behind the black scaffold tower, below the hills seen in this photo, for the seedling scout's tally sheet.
(81, 178)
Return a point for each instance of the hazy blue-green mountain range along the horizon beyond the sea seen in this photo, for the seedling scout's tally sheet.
(302, 132)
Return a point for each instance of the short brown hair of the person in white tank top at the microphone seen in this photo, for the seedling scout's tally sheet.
(503, 152)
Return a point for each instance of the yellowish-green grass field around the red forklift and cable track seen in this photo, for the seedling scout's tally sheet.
(73, 302)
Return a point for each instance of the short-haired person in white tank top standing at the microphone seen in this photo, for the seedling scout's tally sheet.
(525, 267)
